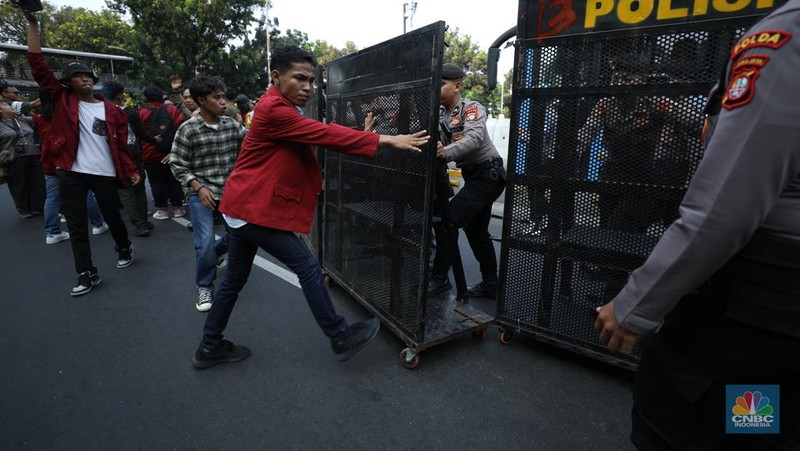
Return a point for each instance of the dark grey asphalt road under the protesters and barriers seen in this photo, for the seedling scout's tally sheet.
(112, 369)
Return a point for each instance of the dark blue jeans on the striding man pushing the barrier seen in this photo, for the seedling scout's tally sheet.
(289, 250)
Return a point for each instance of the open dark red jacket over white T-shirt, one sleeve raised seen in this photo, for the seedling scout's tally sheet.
(61, 144)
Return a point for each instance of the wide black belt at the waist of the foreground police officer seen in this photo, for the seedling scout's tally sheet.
(762, 279)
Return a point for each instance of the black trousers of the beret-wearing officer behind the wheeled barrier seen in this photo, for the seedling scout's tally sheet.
(471, 210)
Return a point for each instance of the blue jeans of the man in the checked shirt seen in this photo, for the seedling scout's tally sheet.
(206, 247)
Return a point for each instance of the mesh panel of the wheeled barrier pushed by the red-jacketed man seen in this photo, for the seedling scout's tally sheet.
(378, 212)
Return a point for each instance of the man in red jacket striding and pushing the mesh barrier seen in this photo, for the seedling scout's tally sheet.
(271, 195)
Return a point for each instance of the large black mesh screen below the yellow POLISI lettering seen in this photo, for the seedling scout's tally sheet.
(606, 134)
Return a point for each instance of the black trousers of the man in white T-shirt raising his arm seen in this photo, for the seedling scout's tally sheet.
(74, 186)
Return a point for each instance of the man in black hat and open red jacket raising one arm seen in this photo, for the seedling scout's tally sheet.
(88, 144)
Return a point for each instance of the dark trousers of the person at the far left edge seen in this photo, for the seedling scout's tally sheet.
(26, 184)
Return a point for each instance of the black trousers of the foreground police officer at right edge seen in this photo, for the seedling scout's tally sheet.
(741, 328)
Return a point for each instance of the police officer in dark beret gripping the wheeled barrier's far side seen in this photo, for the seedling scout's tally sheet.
(465, 140)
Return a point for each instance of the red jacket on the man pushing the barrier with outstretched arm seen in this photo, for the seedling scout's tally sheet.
(276, 180)
